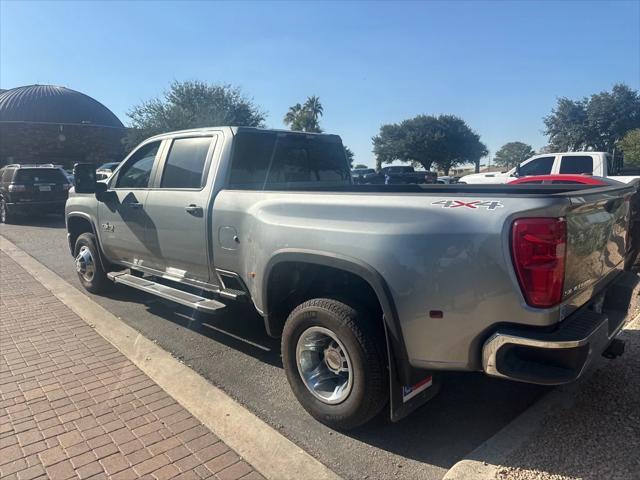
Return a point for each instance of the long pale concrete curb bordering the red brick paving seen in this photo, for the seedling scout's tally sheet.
(272, 454)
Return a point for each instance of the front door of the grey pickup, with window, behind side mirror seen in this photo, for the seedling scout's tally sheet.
(121, 216)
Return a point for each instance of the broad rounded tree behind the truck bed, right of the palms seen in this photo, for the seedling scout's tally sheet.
(445, 141)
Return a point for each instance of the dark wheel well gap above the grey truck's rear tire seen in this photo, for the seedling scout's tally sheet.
(291, 283)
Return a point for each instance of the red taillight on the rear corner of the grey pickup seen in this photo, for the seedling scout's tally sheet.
(538, 247)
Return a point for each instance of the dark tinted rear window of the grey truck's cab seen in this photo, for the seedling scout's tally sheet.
(288, 161)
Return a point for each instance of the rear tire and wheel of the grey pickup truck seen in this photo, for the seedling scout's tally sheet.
(334, 357)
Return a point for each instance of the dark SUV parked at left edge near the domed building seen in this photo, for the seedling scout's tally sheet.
(32, 189)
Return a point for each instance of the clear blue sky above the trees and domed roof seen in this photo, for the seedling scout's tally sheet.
(499, 65)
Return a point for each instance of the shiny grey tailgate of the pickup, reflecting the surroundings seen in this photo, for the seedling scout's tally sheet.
(597, 227)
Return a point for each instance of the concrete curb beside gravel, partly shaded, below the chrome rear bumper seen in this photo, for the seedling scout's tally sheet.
(484, 462)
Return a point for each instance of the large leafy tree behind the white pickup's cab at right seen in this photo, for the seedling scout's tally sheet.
(593, 123)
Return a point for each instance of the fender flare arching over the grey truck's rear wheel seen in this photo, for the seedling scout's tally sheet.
(391, 322)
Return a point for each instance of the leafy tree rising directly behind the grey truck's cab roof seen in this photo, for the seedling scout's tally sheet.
(192, 104)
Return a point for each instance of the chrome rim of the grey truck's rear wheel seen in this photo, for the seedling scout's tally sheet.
(324, 365)
